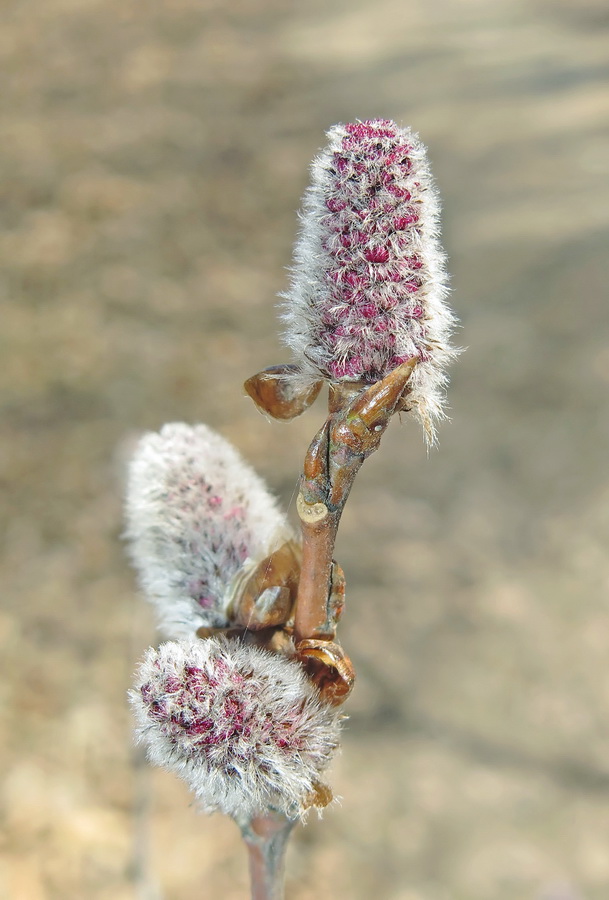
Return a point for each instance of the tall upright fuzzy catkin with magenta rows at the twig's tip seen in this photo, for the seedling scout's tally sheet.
(369, 282)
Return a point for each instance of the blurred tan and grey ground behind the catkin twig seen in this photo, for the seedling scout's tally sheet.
(153, 156)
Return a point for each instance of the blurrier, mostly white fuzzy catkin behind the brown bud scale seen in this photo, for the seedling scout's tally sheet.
(197, 515)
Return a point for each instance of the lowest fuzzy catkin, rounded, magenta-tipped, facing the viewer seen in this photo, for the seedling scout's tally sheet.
(243, 727)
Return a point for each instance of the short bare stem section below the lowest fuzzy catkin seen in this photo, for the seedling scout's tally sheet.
(266, 837)
